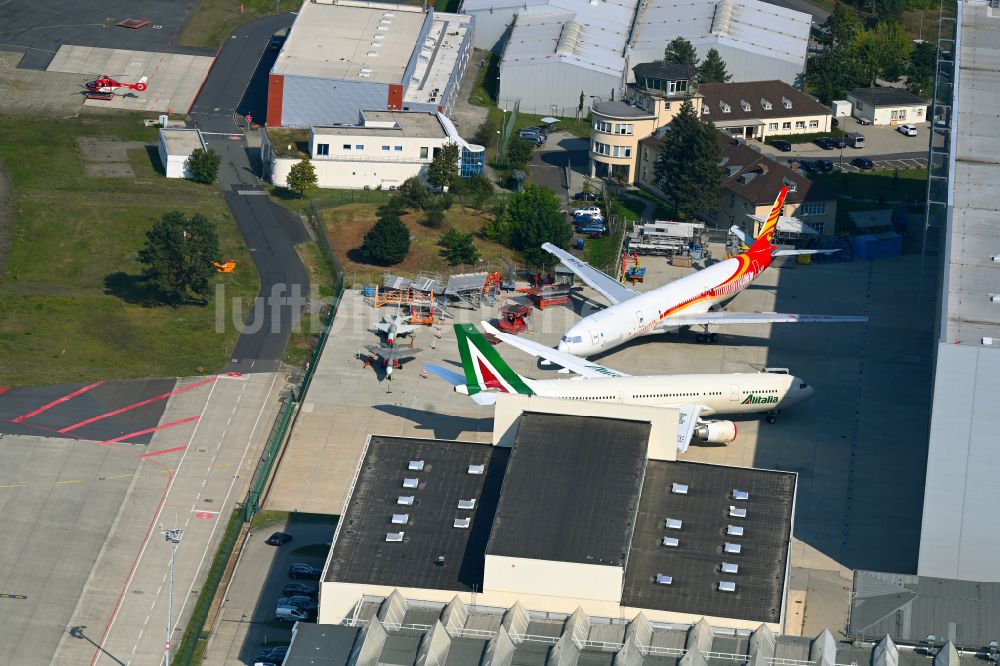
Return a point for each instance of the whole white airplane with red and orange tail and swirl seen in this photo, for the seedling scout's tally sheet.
(688, 301)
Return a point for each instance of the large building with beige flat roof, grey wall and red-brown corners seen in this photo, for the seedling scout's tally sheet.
(342, 57)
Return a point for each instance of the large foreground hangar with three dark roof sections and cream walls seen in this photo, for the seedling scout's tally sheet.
(587, 513)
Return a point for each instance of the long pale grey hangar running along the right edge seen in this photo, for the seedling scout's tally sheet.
(959, 538)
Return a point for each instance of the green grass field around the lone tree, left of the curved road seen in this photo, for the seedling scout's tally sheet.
(71, 304)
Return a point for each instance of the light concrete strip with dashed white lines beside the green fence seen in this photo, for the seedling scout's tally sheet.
(190, 480)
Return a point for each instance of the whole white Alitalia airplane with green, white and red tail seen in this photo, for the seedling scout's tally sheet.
(694, 396)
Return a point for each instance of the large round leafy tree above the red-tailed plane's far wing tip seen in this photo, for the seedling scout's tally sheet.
(535, 218)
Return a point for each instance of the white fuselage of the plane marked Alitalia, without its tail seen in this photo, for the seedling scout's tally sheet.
(738, 393)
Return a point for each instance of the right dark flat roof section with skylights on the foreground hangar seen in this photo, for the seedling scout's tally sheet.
(695, 563)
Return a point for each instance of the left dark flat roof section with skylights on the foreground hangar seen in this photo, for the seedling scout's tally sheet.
(361, 553)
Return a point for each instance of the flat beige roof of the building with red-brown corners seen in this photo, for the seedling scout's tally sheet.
(351, 42)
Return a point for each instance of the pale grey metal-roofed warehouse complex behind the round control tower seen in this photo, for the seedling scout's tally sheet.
(556, 49)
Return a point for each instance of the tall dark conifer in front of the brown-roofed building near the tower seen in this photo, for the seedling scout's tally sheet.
(687, 169)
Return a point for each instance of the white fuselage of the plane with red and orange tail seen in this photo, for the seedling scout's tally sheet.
(650, 312)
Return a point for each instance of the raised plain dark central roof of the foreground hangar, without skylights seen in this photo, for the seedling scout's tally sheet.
(571, 490)
